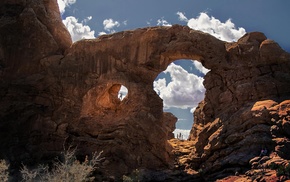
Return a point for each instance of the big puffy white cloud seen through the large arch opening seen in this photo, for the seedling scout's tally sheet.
(184, 91)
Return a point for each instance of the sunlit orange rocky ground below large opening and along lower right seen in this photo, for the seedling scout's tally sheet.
(268, 168)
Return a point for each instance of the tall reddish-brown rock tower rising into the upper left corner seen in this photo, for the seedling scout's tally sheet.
(30, 30)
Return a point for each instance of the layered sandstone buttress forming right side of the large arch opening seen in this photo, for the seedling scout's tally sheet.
(244, 109)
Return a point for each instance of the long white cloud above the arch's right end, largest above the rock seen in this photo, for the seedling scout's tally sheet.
(223, 31)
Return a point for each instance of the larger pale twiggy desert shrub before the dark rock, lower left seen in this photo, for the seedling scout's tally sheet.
(70, 169)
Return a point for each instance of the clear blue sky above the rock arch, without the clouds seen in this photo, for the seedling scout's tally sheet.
(268, 16)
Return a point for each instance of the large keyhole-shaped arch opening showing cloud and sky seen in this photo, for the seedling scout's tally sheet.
(181, 88)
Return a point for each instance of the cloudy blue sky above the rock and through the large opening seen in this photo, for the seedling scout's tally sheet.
(226, 19)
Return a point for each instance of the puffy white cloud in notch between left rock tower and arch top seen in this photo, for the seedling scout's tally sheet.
(78, 30)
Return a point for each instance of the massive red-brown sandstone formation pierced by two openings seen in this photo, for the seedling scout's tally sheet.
(52, 91)
